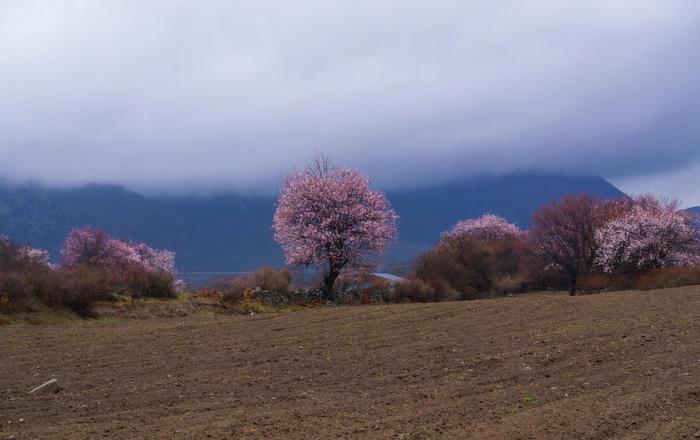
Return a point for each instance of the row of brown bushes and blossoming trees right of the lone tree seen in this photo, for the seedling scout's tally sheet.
(577, 243)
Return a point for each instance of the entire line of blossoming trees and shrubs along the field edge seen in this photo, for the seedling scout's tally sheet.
(579, 243)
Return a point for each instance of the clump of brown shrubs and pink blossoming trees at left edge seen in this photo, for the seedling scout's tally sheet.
(94, 266)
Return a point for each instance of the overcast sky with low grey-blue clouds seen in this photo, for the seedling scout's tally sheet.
(197, 96)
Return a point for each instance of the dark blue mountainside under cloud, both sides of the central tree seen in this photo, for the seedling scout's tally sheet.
(233, 233)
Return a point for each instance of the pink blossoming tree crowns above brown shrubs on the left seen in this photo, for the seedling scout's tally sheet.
(94, 247)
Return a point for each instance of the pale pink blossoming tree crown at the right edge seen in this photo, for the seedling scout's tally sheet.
(652, 234)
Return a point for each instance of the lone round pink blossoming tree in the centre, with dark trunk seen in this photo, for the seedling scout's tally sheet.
(329, 217)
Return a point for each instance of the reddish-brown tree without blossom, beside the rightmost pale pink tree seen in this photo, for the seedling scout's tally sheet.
(563, 232)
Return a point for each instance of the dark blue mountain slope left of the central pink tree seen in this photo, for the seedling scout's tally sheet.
(227, 232)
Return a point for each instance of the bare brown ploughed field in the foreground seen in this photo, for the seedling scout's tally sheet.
(544, 366)
